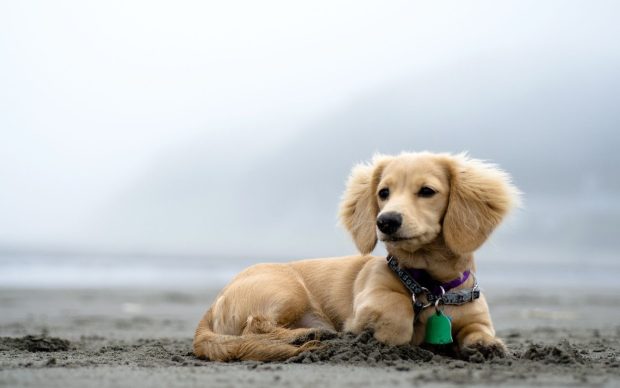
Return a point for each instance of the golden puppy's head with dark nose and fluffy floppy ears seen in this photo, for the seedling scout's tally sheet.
(408, 201)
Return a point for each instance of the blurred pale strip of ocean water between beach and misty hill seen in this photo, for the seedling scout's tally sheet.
(515, 270)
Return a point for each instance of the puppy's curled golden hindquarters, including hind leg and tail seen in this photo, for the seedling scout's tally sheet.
(256, 316)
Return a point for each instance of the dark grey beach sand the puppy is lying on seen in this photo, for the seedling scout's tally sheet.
(139, 338)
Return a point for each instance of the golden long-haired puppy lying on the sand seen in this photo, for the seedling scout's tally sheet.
(432, 211)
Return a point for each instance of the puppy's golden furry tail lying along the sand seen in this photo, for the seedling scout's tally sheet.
(258, 347)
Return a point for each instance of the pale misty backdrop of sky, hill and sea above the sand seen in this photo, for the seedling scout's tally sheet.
(173, 143)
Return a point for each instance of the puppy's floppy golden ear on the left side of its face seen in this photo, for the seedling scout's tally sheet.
(359, 208)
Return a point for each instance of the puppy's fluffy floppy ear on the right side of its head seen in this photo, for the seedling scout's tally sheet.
(480, 196)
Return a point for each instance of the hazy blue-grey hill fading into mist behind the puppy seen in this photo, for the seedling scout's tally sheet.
(554, 128)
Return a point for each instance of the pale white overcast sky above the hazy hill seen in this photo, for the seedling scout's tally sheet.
(92, 94)
